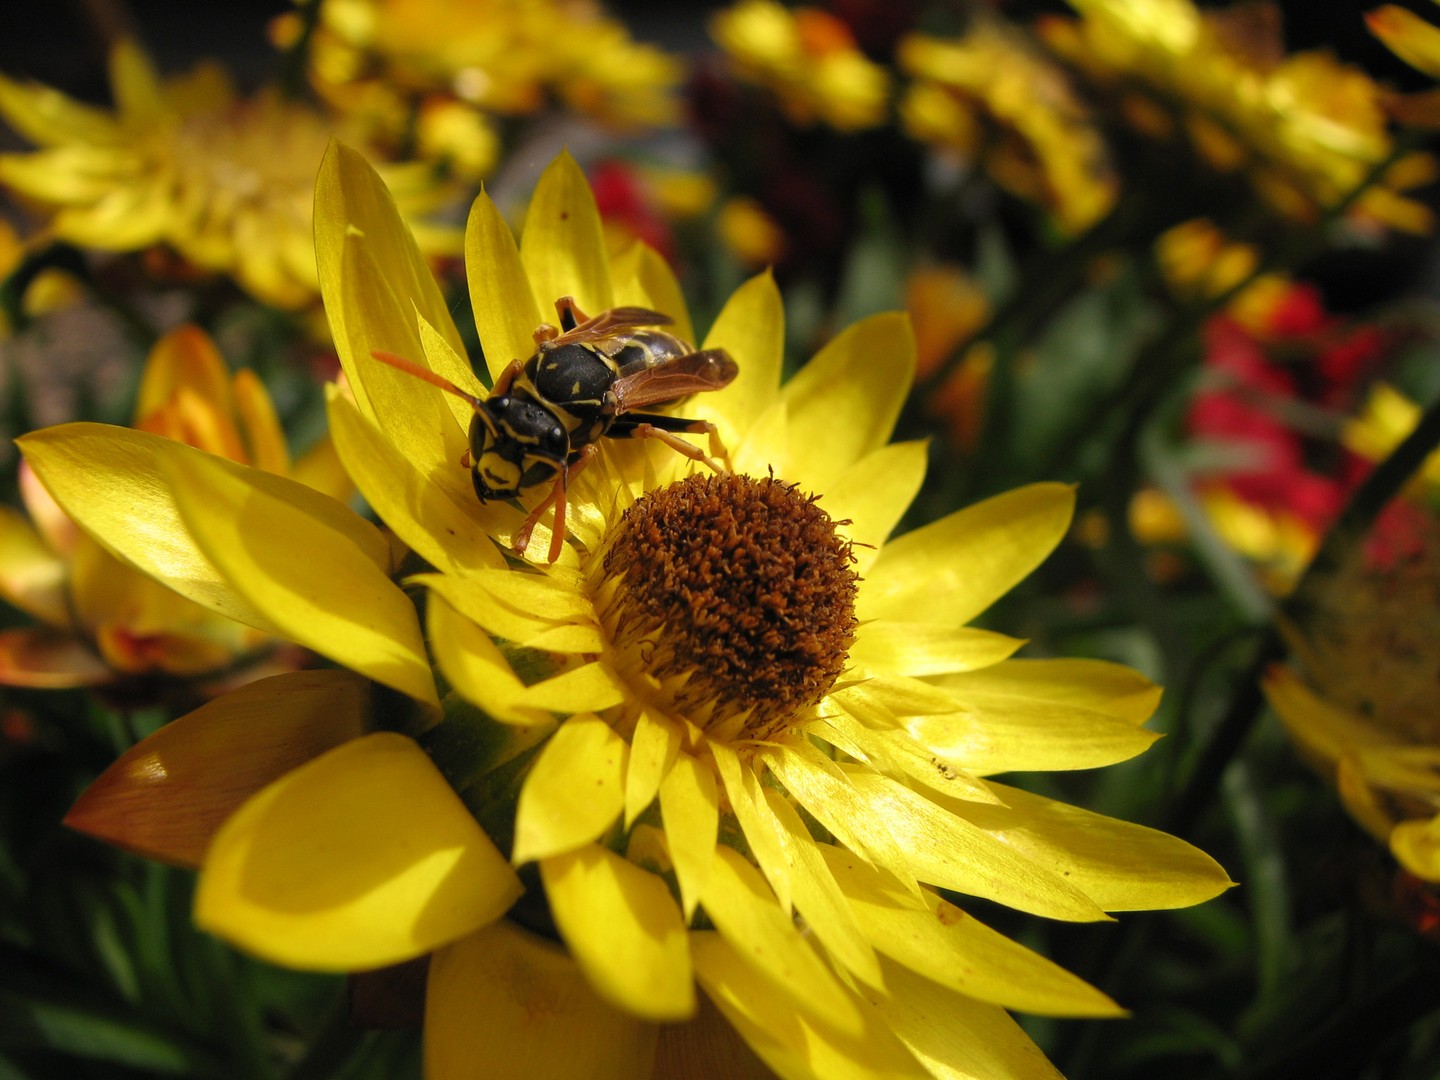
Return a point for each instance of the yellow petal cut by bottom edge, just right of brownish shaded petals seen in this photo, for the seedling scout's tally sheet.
(796, 1043)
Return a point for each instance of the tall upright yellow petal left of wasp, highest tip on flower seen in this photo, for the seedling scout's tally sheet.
(359, 235)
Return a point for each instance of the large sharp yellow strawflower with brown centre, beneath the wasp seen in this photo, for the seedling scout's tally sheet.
(734, 735)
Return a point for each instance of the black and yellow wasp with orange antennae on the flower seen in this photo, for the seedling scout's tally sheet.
(588, 379)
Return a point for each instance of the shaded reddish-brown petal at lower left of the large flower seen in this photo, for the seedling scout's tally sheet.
(166, 797)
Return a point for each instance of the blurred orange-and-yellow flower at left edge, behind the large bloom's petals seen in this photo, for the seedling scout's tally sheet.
(104, 618)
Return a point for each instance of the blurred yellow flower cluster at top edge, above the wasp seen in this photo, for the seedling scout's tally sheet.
(440, 73)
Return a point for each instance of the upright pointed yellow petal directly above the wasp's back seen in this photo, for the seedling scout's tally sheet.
(564, 246)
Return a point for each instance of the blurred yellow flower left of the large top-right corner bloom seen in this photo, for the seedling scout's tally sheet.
(993, 99)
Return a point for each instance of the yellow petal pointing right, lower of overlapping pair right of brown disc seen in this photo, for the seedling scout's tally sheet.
(997, 734)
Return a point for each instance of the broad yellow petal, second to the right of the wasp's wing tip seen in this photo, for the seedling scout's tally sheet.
(846, 402)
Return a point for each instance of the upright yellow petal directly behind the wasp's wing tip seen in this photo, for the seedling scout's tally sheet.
(752, 329)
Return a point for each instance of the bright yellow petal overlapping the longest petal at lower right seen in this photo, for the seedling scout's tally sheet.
(947, 850)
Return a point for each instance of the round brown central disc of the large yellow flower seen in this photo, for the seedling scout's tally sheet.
(731, 601)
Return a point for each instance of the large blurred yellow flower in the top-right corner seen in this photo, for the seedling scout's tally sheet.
(1307, 129)
